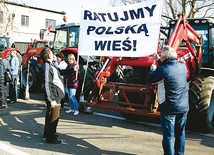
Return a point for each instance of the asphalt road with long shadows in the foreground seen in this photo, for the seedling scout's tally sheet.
(101, 133)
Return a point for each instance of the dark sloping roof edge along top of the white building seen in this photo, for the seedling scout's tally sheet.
(31, 7)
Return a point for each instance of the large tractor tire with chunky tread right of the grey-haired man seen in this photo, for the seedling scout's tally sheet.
(201, 100)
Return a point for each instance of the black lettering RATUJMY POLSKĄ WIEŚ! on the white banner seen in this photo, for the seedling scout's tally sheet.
(118, 45)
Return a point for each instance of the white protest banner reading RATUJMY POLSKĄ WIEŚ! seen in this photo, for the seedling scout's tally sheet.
(127, 31)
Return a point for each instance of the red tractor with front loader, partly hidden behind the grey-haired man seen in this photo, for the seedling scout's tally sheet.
(194, 43)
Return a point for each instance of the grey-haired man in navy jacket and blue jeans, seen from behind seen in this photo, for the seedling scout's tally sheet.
(175, 106)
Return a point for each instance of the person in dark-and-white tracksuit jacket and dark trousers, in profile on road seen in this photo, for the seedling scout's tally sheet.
(53, 93)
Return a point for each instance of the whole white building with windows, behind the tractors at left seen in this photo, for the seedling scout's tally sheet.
(23, 23)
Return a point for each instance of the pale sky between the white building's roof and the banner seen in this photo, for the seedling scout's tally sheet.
(71, 7)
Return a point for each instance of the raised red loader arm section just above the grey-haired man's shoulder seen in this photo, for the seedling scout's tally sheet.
(183, 32)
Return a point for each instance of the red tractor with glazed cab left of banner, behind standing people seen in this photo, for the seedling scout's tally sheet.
(66, 37)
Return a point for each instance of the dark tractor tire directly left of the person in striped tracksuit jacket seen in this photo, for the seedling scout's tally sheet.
(34, 82)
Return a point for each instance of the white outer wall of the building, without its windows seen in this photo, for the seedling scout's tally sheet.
(37, 20)
